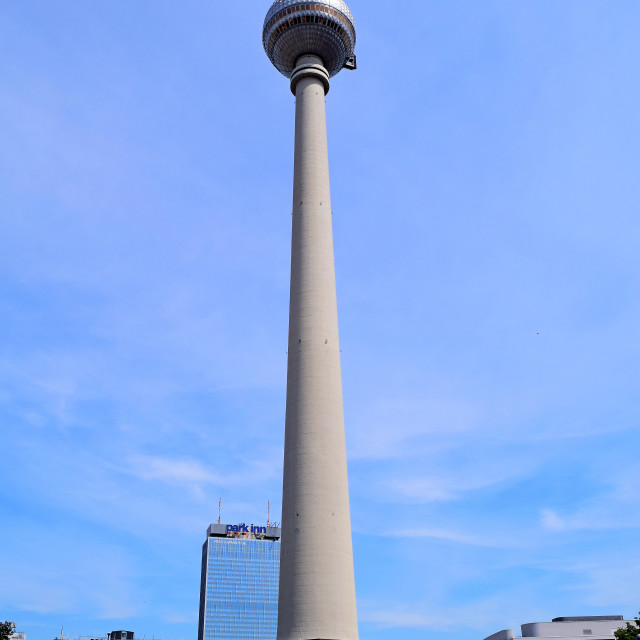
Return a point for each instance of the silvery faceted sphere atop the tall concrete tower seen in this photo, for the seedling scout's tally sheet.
(293, 28)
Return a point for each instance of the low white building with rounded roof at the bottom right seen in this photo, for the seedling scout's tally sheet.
(568, 628)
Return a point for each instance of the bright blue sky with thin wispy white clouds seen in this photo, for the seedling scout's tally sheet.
(485, 190)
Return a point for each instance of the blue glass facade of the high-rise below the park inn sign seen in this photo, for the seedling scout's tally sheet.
(239, 589)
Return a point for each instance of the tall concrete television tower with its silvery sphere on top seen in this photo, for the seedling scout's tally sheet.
(309, 43)
